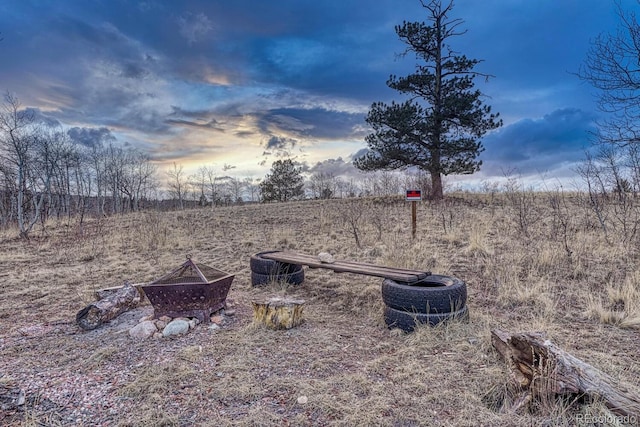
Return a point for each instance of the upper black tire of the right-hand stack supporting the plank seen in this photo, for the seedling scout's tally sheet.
(434, 294)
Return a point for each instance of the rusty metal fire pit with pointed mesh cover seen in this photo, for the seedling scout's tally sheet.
(192, 290)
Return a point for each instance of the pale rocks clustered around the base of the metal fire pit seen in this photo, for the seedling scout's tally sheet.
(166, 326)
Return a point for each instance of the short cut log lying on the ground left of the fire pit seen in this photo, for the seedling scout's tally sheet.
(95, 314)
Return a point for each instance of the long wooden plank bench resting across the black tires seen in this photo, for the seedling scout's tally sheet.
(393, 273)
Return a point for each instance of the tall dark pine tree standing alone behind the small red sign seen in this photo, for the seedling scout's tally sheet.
(440, 127)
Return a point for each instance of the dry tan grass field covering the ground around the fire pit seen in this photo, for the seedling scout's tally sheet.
(532, 262)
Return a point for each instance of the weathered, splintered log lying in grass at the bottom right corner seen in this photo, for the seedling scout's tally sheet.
(541, 369)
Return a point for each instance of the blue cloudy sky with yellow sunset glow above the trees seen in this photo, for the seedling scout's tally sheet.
(245, 82)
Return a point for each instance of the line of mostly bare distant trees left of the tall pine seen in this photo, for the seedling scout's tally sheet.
(47, 173)
